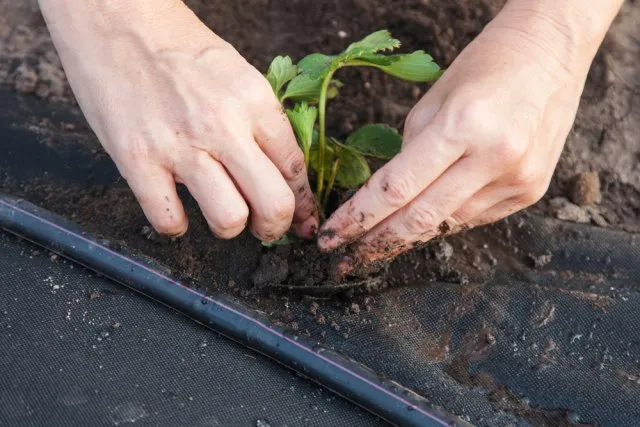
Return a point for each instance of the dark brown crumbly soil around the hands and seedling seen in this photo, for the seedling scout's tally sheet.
(597, 179)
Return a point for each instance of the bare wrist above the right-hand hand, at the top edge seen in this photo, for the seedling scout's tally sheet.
(559, 33)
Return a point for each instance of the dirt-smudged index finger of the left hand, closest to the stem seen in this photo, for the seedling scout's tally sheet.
(278, 142)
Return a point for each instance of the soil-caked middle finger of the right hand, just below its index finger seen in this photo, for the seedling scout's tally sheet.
(428, 215)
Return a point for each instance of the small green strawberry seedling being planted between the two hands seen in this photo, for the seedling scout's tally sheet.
(304, 89)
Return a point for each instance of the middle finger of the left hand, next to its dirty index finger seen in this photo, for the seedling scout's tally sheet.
(269, 197)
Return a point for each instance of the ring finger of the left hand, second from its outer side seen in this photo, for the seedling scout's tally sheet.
(220, 202)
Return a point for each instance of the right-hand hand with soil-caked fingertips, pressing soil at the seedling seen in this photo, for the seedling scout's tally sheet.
(481, 145)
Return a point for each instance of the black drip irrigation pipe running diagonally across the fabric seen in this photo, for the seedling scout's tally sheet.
(350, 379)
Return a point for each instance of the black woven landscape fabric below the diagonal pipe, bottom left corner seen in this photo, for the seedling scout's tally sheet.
(81, 350)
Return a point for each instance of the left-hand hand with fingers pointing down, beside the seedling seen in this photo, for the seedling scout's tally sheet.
(172, 102)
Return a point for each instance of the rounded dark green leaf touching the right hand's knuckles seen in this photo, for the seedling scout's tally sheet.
(376, 140)
